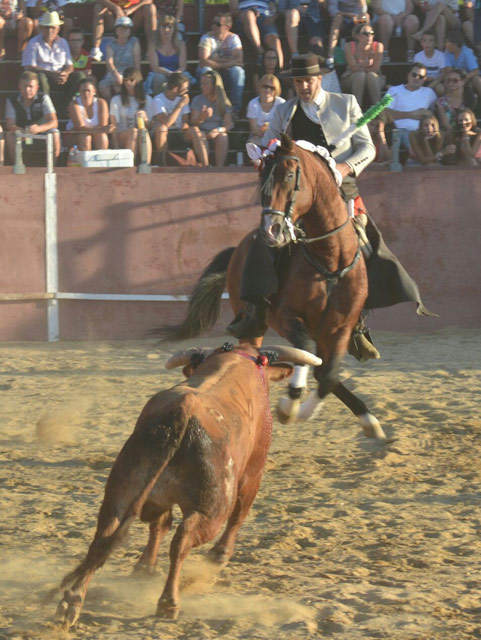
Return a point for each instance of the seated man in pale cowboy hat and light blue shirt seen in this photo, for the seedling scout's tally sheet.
(48, 55)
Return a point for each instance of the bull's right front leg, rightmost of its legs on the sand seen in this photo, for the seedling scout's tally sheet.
(222, 551)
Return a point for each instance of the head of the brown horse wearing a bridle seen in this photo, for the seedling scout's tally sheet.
(281, 198)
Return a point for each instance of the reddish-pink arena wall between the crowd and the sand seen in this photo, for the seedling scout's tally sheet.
(120, 232)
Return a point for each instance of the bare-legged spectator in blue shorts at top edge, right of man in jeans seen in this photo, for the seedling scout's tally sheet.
(257, 22)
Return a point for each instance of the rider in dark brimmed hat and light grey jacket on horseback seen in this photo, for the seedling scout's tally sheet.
(319, 117)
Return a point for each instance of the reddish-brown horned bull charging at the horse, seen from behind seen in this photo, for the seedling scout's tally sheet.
(201, 445)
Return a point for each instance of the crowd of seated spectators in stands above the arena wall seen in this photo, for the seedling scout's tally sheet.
(434, 110)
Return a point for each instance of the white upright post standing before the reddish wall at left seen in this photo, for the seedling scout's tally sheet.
(51, 246)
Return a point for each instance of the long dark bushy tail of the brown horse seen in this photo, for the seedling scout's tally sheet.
(204, 302)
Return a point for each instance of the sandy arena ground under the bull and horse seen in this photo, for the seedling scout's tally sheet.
(348, 538)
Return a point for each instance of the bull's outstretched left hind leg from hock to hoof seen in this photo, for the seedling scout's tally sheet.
(69, 607)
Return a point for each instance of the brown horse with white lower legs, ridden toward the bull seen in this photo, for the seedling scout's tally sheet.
(322, 277)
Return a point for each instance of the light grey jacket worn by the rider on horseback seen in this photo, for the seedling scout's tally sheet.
(336, 112)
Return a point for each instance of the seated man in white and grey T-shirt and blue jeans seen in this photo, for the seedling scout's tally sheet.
(221, 50)
